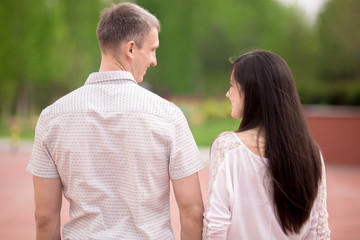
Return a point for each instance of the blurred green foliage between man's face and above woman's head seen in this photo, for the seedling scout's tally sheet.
(199, 37)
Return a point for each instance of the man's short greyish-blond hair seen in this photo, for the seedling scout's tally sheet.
(124, 22)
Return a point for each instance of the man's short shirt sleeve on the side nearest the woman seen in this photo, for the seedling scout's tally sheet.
(185, 157)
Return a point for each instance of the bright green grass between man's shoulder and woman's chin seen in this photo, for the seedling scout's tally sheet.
(205, 133)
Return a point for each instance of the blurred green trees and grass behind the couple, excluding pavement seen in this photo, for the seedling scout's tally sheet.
(49, 47)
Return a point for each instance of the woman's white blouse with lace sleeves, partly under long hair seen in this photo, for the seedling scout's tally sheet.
(239, 205)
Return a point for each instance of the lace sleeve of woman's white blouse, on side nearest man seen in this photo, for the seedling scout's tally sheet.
(222, 144)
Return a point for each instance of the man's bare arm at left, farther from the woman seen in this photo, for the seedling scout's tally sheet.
(48, 200)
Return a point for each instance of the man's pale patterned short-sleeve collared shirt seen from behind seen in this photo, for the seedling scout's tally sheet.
(115, 146)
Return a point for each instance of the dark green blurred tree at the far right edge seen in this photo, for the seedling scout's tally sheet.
(339, 58)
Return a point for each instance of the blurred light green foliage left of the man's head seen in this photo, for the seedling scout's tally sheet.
(47, 49)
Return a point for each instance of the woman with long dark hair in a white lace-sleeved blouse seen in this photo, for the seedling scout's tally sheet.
(267, 179)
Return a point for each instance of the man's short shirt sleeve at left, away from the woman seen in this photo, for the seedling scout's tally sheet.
(41, 163)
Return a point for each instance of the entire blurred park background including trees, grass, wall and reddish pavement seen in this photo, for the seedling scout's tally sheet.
(49, 47)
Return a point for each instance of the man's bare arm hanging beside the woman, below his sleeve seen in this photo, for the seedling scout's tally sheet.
(191, 207)
